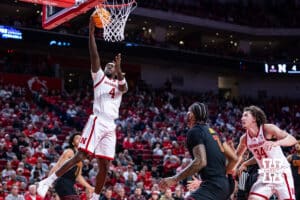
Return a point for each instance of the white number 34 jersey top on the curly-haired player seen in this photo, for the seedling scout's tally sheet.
(257, 146)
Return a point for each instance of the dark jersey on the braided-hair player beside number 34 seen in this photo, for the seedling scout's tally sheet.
(200, 134)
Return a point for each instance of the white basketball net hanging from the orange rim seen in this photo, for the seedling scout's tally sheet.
(113, 28)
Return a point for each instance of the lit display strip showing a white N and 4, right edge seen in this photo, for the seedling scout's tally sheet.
(282, 68)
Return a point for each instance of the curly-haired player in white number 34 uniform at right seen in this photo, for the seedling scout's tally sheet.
(257, 139)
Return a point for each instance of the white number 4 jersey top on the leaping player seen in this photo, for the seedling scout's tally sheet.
(107, 96)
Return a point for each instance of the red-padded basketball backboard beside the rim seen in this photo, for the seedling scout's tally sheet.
(54, 16)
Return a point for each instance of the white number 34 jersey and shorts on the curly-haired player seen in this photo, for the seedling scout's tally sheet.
(261, 188)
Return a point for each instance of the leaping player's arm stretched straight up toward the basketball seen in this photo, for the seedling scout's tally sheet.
(94, 56)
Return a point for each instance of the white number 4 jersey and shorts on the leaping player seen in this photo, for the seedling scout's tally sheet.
(98, 136)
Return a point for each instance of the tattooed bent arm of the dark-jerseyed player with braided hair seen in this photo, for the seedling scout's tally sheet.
(196, 165)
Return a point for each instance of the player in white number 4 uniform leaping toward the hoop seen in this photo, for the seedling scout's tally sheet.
(98, 136)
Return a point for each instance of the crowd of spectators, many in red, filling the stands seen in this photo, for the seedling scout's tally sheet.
(34, 130)
